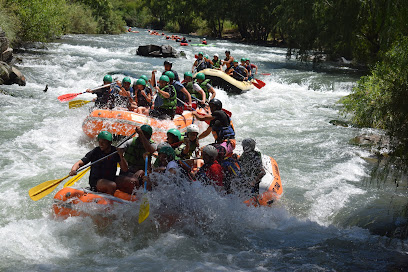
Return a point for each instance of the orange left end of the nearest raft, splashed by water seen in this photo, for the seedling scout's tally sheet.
(73, 202)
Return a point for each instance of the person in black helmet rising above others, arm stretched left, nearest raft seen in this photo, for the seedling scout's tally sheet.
(220, 126)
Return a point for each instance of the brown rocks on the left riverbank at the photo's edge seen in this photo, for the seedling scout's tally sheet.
(9, 74)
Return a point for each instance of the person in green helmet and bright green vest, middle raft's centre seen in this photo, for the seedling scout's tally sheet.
(166, 100)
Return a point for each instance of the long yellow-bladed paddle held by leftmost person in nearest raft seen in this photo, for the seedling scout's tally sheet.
(47, 187)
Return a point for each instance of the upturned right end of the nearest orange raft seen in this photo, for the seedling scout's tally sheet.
(270, 187)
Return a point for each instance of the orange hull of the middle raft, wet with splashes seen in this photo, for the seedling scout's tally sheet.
(124, 123)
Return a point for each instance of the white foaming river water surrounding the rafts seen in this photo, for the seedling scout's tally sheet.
(331, 217)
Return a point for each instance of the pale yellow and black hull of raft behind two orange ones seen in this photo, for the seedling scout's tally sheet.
(226, 82)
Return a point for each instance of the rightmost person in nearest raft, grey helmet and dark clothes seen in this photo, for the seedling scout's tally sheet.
(252, 170)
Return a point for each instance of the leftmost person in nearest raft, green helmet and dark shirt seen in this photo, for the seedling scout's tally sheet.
(103, 174)
